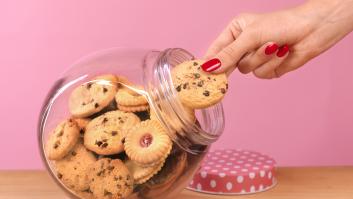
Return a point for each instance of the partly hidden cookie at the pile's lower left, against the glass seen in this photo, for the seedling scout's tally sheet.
(72, 169)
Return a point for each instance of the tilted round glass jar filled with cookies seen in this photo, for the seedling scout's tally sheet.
(113, 127)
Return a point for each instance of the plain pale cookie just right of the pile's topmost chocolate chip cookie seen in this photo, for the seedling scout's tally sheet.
(124, 98)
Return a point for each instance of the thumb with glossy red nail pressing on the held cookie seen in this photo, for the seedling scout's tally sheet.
(228, 57)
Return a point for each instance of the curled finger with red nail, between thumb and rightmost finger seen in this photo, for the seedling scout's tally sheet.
(256, 59)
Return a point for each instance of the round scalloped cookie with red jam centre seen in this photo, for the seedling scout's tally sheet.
(147, 143)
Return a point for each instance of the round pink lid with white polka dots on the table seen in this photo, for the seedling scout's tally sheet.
(235, 171)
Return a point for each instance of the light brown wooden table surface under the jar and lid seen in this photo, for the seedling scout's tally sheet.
(293, 183)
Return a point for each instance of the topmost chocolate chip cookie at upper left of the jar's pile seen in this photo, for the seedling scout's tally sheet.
(91, 97)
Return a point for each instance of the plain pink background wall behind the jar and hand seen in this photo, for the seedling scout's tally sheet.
(304, 118)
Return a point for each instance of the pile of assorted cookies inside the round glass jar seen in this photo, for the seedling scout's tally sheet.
(106, 149)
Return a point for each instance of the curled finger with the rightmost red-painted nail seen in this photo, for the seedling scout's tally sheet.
(268, 70)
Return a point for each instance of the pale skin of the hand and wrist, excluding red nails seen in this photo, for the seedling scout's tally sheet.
(308, 30)
